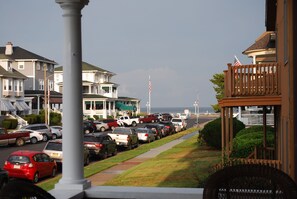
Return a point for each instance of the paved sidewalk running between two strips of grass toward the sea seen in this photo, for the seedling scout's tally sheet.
(108, 174)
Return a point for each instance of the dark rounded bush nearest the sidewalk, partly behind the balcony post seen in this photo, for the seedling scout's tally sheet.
(212, 132)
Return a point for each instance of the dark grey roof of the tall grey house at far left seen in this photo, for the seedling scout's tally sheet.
(20, 53)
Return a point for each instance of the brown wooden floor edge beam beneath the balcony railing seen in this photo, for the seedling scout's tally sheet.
(251, 101)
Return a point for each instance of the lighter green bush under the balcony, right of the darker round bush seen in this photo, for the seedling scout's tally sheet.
(247, 139)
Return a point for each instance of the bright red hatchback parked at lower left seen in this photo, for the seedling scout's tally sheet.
(30, 165)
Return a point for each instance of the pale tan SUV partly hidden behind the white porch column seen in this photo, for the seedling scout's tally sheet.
(54, 149)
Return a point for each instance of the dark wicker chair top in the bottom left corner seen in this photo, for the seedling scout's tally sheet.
(18, 189)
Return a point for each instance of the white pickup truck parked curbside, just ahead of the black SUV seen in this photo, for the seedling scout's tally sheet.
(125, 136)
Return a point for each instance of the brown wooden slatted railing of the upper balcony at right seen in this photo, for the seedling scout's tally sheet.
(252, 80)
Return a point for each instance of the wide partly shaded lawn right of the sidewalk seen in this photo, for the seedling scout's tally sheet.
(185, 165)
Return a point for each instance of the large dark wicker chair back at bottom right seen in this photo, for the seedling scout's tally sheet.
(249, 181)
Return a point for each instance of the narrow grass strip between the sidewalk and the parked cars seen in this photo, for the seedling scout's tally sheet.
(102, 165)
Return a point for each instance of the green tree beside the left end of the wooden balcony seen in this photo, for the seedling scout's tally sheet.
(218, 81)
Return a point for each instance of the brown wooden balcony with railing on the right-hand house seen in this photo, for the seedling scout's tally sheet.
(252, 85)
